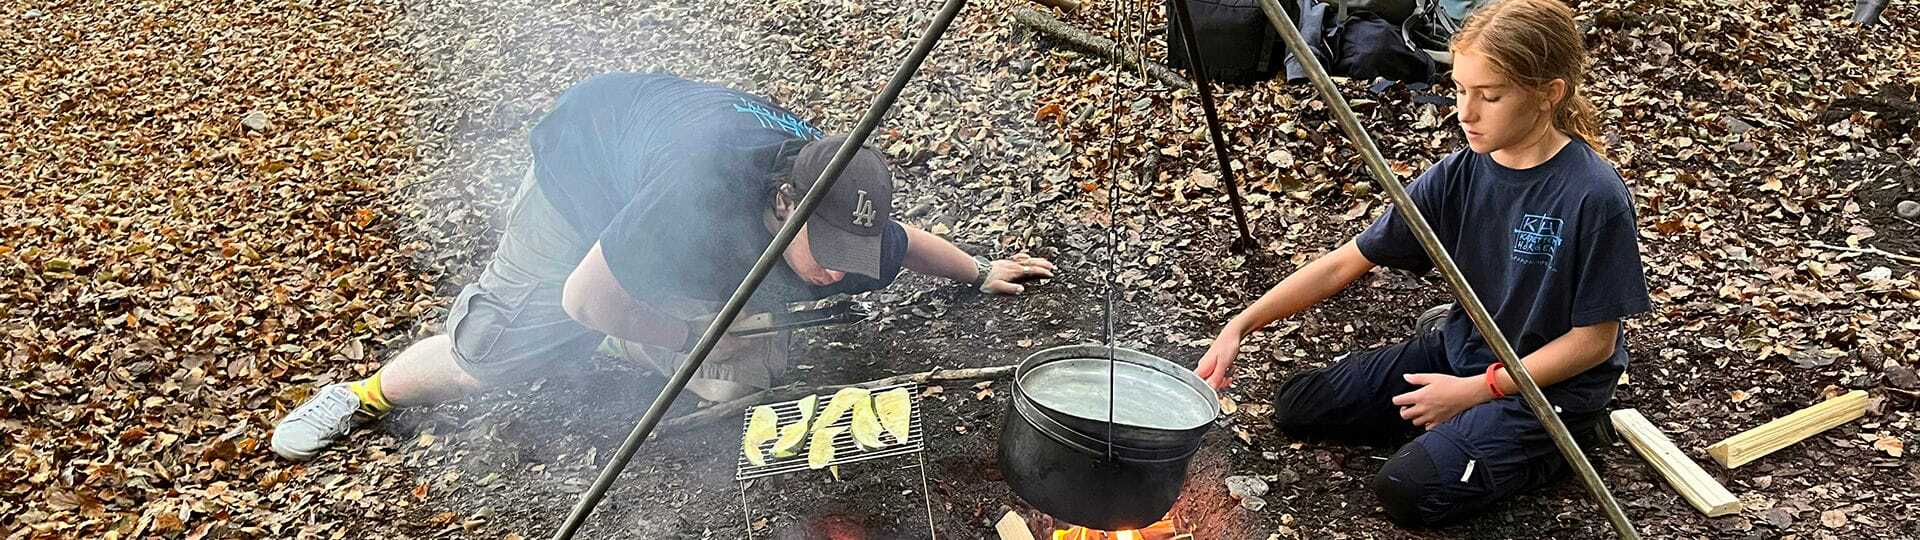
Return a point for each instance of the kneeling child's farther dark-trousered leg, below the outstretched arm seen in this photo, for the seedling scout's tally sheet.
(1353, 399)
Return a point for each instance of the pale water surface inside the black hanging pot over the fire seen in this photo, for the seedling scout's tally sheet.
(1145, 397)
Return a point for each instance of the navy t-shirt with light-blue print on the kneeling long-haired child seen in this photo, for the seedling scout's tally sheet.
(1547, 249)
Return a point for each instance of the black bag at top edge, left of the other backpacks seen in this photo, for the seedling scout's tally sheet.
(1237, 43)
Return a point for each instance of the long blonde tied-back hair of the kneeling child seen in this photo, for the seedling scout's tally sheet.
(1533, 43)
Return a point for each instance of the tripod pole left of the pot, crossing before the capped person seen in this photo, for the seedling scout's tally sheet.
(759, 270)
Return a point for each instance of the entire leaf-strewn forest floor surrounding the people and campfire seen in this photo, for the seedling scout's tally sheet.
(137, 405)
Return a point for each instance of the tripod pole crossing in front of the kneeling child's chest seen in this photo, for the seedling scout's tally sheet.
(1462, 289)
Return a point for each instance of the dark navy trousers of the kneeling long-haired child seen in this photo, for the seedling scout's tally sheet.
(1462, 466)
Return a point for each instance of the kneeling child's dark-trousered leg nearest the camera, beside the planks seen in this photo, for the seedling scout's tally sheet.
(1472, 462)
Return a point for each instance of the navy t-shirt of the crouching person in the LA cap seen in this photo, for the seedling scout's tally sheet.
(675, 182)
